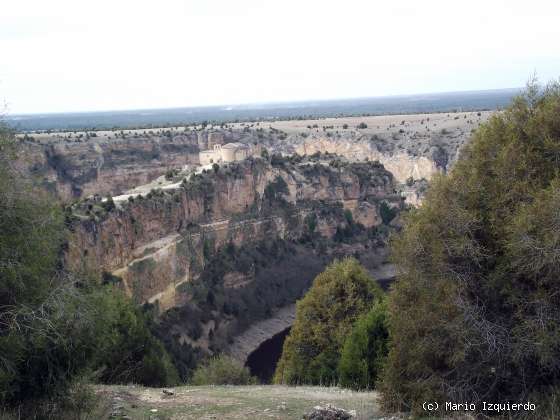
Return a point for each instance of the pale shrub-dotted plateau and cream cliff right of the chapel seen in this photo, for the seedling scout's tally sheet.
(409, 146)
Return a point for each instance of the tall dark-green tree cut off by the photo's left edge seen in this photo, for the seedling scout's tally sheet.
(33, 326)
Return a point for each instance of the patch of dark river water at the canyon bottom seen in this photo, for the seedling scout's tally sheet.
(262, 362)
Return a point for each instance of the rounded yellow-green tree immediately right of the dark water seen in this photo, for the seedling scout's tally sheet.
(339, 295)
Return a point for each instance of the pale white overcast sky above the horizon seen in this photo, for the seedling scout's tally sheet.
(70, 56)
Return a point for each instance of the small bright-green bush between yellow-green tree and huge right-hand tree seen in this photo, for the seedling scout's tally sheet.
(365, 349)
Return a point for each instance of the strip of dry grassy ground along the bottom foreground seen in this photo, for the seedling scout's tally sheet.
(229, 402)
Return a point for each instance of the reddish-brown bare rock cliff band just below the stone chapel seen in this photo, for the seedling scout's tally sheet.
(156, 243)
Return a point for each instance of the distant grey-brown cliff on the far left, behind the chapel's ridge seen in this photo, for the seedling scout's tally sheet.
(74, 169)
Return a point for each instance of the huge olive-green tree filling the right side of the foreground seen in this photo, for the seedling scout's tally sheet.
(474, 314)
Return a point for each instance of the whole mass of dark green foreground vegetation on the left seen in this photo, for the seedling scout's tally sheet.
(55, 325)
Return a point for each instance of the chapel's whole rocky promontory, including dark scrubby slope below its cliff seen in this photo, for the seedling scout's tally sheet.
(226, 248)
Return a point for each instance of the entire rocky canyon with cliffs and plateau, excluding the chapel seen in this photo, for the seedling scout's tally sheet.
(222, 251)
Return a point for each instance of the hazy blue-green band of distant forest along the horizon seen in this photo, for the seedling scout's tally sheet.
(411, 104)
